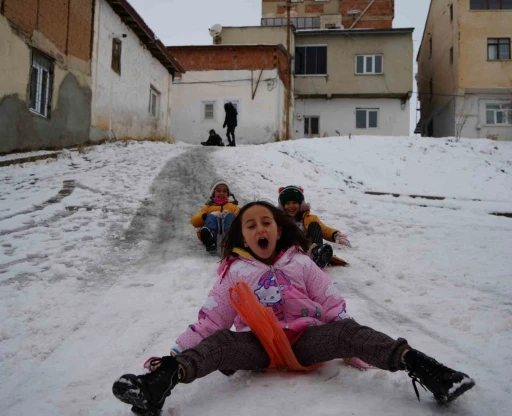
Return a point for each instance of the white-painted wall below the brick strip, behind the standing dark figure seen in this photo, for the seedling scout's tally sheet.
(259, 120)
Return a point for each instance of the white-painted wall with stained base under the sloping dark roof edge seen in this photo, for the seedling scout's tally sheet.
(124, 99)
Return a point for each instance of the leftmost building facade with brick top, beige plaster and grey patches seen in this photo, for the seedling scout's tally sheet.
(45, 55)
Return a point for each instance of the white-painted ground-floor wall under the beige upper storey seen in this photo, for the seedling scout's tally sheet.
(339, 114)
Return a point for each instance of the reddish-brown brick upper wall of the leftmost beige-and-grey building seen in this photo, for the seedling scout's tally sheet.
(66, 23)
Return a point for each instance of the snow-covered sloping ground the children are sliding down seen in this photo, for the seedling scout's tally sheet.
(100, 269)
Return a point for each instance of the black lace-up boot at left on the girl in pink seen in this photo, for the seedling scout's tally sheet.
(147, 392)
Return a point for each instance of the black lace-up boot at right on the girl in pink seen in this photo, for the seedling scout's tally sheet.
(446, 384)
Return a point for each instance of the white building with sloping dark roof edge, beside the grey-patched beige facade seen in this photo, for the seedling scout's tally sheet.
(132, 74)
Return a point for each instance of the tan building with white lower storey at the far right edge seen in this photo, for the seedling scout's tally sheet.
(465, 70)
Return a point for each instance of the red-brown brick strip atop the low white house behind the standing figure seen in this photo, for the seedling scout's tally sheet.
(203, 58)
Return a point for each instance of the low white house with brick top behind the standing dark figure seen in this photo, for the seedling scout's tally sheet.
(249, 76)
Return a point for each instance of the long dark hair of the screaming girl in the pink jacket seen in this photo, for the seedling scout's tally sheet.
(290, 234)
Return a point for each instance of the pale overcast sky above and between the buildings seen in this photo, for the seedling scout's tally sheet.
(178, 22)
